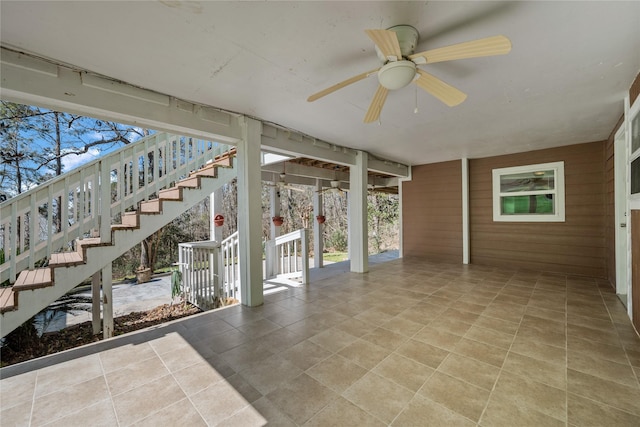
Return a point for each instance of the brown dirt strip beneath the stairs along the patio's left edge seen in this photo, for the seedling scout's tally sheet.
(24, 343)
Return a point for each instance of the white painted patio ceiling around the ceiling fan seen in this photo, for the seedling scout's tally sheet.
(563, 83)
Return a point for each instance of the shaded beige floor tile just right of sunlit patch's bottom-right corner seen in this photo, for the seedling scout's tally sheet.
(301, 398)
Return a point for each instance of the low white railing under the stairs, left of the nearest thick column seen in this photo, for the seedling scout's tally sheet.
(210, 271)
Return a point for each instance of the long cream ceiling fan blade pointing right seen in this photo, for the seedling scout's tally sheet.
(496, 45)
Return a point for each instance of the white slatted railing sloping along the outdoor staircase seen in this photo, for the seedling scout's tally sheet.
(48, 218)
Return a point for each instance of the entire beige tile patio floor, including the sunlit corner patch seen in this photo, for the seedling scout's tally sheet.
(411, 343)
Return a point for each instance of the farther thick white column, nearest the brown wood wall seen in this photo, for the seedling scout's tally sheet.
(358, 232)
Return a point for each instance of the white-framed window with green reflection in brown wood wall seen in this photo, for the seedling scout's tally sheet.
(529, 193)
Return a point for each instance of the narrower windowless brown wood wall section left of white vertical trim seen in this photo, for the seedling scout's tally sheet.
(432, 212)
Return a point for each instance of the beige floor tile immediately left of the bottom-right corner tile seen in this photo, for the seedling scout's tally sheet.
(528, 393)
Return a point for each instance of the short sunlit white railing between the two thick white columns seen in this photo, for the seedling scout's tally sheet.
(287, 256)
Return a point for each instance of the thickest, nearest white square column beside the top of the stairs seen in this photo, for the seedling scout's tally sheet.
(250, 213)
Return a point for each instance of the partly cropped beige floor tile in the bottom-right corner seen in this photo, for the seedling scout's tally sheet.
(583, 412)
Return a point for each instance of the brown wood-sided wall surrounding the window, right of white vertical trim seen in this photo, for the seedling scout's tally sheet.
(576, 246)
